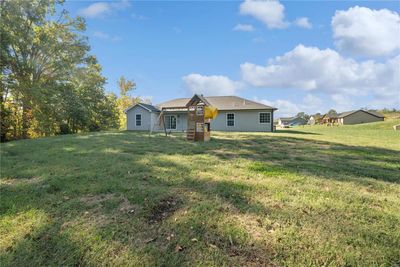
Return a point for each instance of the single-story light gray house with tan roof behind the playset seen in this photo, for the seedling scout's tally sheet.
(234, 114)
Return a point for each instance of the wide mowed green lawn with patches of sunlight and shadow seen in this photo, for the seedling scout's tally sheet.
(307, 196)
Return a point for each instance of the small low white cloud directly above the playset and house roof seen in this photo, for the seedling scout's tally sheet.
(210, 85)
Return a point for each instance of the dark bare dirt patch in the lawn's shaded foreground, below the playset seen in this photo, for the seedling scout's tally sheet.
(165, 208)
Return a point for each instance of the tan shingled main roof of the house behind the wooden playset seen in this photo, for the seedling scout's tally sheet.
(220, 102)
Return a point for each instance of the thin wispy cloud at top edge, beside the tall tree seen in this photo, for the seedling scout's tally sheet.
(102, 9)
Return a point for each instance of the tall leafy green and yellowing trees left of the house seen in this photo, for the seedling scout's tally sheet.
(50, 83)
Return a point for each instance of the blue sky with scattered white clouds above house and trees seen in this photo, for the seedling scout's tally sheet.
(307, 56)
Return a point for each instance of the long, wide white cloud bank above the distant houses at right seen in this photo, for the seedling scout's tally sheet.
(310, 68)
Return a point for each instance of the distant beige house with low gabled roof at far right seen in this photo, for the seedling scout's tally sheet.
(359, 116)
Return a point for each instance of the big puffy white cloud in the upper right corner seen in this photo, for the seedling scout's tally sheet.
(366, 32)
